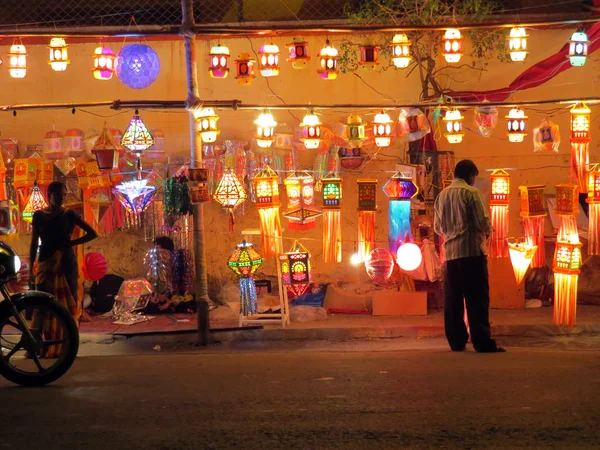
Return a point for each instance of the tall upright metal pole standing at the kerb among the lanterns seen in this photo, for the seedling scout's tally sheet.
(201, 286)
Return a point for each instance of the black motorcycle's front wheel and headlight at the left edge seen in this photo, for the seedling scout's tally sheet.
(39, 338)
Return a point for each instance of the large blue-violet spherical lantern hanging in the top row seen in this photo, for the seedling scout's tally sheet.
(137, 66)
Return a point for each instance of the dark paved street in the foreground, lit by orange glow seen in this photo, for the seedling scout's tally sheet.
(296, 398)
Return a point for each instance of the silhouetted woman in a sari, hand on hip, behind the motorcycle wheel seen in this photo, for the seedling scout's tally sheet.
(56, 269)
